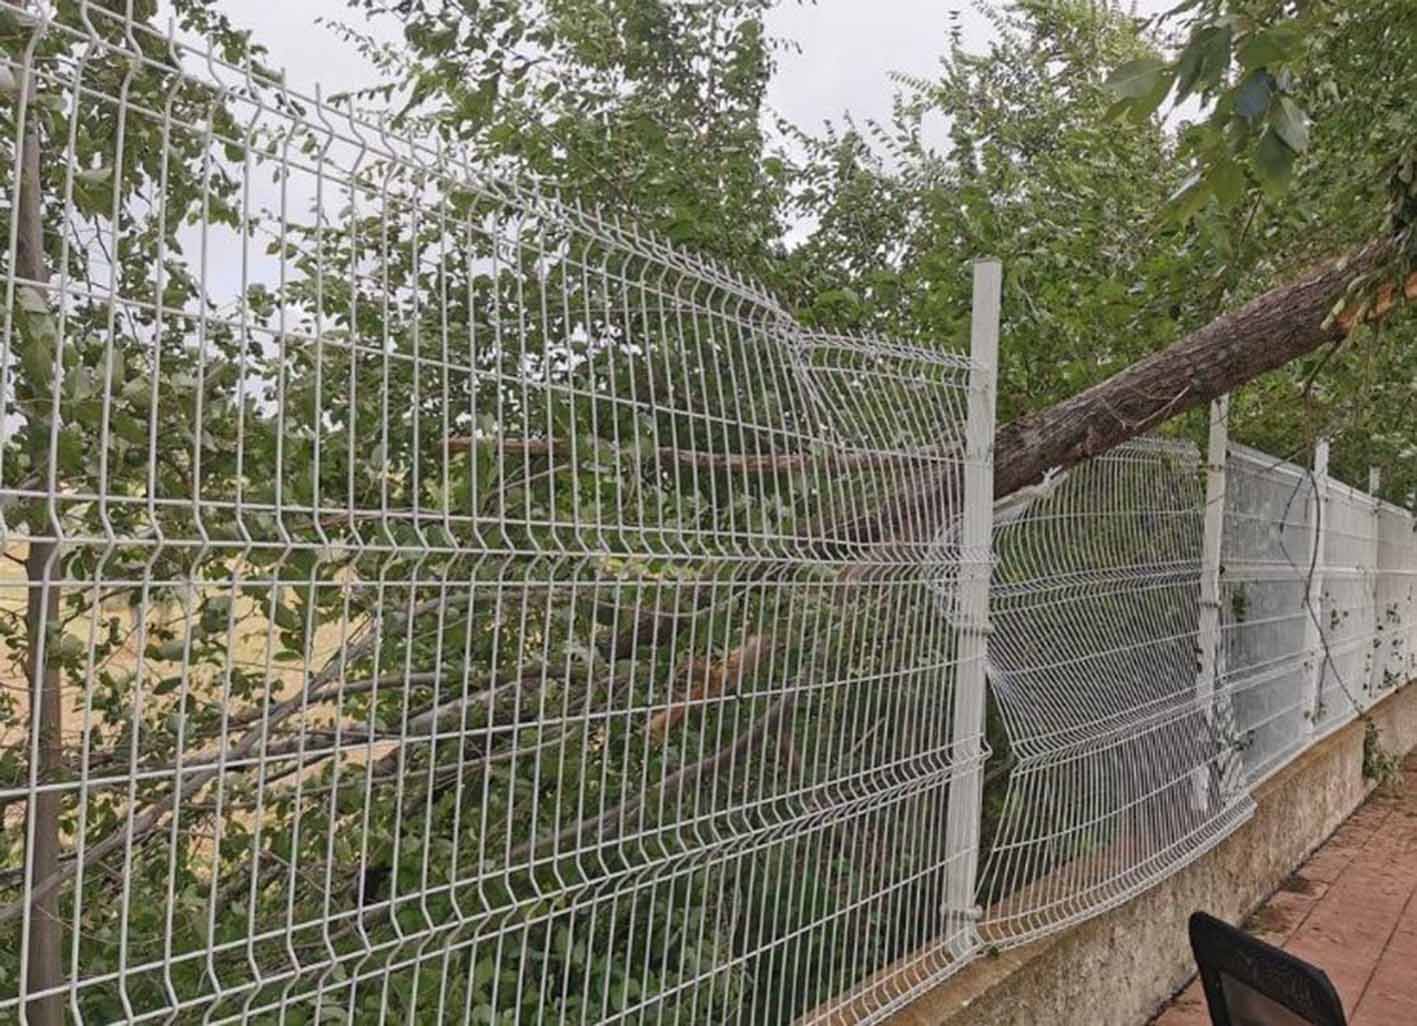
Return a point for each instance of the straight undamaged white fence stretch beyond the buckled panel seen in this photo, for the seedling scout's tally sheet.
(1319, 604)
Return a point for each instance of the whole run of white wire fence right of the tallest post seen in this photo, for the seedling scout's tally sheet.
(1160, 650)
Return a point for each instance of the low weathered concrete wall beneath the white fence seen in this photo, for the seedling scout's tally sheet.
(1119, 969)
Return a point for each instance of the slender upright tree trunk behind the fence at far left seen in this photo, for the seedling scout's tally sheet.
(42, 617)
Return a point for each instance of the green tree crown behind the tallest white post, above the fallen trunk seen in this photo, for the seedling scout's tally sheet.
(1034, 172)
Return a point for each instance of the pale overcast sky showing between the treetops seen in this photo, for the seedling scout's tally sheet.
(848, 49)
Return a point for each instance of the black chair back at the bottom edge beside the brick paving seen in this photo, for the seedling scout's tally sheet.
(1255, 984)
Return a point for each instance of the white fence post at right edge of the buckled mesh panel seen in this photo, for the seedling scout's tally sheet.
(1208, 628)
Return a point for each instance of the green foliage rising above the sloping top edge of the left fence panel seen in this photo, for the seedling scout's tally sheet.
(647, 110)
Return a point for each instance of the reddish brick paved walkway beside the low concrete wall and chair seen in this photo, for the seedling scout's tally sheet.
(1351, 911)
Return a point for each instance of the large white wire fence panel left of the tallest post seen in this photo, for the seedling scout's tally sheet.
(430, 602)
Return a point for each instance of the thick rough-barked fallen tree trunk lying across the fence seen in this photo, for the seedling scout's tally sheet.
(1265, 335)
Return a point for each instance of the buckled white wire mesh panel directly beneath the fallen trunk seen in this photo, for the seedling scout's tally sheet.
(1123, 770)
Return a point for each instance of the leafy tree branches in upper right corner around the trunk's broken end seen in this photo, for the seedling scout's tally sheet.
(1303, 152)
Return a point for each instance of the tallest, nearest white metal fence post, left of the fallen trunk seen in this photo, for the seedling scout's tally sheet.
(976, 573)
